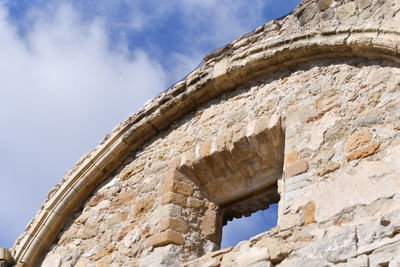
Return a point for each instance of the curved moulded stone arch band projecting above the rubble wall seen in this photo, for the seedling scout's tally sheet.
(222, 72)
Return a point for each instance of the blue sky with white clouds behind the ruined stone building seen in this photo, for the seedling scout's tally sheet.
(70, 71)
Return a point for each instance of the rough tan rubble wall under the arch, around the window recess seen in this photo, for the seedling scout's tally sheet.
(342, 150)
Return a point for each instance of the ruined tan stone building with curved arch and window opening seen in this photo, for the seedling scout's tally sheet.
(304, 112)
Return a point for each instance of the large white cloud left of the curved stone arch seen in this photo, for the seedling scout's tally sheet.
(61, 90)
